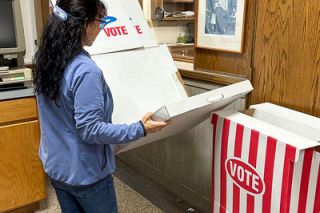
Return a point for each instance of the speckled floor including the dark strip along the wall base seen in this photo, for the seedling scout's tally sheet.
(132, 189)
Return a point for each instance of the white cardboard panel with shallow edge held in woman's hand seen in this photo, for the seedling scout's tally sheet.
(189, 112)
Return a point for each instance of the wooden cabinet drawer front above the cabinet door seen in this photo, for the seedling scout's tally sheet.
(19, 109)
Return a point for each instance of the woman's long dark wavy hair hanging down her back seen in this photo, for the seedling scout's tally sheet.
(61, 42)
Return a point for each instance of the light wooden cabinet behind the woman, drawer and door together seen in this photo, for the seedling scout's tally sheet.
(22, 180)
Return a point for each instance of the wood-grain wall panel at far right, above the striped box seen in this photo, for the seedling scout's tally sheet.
(287, 54)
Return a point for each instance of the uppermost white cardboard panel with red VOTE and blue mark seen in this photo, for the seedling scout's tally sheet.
(119, 34)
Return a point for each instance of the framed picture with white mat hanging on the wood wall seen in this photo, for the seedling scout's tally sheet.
(220, 25)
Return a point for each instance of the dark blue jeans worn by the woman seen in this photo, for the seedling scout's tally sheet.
(99, 197)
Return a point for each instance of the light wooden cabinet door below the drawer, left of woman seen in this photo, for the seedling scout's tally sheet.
(22, 179)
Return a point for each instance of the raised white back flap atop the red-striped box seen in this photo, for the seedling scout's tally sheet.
(291, 120)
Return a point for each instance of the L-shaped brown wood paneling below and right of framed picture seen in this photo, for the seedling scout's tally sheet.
(233, 63)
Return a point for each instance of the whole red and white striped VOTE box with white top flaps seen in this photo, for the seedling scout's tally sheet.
(261, 167)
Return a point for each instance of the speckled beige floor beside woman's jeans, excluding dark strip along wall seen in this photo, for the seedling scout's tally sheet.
(129, 201)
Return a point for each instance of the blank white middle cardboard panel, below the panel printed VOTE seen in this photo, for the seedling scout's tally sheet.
(141, 80)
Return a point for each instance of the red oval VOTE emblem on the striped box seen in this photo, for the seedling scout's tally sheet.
(245, 176)
